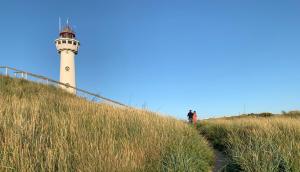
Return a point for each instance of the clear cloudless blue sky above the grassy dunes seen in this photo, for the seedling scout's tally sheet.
(216, 57)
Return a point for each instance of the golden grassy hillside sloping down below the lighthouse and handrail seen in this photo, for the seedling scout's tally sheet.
(43, 128)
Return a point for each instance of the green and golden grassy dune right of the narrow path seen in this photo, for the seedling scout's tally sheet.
(257, 144)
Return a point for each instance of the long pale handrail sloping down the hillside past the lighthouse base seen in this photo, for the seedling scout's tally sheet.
(60, 83)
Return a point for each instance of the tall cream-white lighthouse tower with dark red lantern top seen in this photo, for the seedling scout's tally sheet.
(67, 46)
